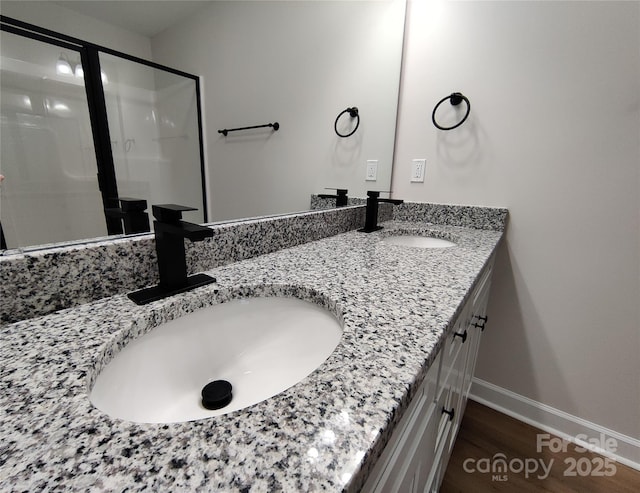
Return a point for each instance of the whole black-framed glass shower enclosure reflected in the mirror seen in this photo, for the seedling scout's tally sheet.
(82, 127)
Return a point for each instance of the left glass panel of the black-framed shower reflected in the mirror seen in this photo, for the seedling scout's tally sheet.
(50, 192)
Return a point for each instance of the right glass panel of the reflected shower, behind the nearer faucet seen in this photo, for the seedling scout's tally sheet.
(153, 126)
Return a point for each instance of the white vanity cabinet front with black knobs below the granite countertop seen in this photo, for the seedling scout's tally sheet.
(416, 457)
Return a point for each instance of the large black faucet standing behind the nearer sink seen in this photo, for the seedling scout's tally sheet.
(170, 233)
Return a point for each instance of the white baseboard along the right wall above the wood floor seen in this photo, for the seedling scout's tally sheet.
(556, 422)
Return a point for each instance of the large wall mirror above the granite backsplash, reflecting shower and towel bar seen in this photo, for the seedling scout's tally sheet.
(300, 63)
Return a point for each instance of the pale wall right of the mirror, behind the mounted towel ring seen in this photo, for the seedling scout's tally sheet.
(554, 135)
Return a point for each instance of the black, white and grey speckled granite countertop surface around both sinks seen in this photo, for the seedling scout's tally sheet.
(324, 433)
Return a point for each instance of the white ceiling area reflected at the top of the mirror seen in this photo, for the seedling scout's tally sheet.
(145, 17)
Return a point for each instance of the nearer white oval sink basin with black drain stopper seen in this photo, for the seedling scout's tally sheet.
(262, 346)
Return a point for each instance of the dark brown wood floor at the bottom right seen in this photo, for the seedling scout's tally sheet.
(485, 433)
